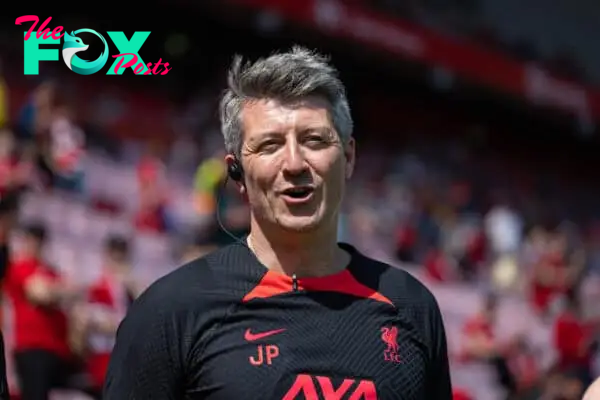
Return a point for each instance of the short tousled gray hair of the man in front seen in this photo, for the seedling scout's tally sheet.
(286, 77)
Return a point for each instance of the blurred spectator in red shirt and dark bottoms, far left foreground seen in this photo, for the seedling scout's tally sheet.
(42, 355)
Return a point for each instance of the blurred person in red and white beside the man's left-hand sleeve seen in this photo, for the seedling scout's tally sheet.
(108, 300)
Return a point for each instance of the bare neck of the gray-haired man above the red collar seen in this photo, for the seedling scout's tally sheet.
(310, 254)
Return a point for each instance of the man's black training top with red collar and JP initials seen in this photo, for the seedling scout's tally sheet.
(225, 327)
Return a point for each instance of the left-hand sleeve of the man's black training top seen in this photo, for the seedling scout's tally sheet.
(147, 361)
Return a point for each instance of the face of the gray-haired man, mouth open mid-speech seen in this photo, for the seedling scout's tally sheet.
(295, 165)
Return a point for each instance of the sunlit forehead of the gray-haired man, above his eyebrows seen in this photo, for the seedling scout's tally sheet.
(267, 116)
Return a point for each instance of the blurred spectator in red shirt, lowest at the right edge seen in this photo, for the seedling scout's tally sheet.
(573, 340)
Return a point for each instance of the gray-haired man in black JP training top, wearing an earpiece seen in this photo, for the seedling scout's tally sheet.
(287, 312)
